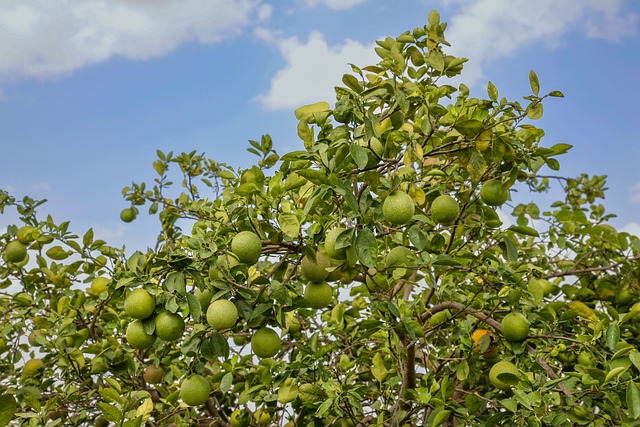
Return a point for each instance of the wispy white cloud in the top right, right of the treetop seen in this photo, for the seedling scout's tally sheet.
(486, 30)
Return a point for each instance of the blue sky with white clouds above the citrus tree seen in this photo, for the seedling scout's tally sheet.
(90, 89)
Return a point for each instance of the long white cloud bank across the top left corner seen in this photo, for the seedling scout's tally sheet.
(50, 37)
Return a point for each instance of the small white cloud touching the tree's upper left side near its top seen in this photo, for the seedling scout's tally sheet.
(312, 69)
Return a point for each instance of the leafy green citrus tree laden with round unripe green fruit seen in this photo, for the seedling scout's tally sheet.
(366, 279)
